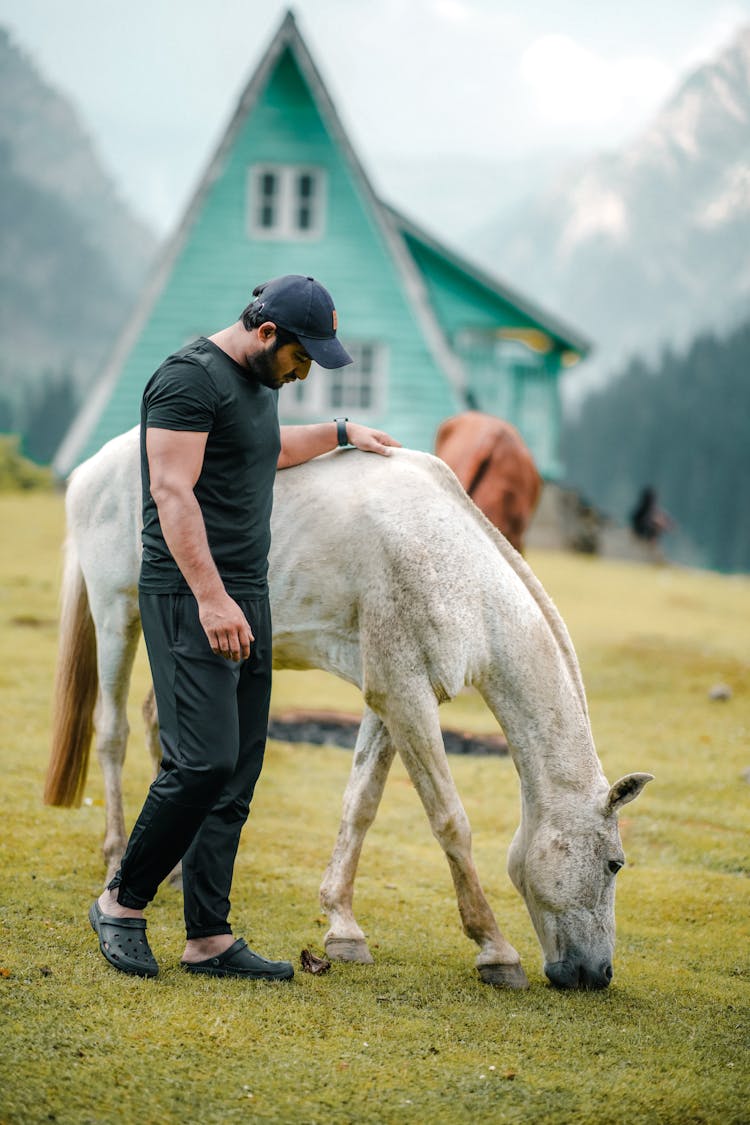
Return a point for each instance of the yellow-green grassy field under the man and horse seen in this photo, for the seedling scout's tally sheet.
(415, 1038)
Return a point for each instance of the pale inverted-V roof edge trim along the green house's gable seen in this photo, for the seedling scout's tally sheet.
(287, 38)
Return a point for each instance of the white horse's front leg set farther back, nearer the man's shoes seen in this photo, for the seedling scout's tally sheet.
(374, 755)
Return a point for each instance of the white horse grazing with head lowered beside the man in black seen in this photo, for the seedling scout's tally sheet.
(386, 574)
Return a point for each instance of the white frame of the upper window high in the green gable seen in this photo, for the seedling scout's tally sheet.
(286, 227)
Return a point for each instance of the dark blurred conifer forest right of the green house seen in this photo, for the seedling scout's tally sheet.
(682, 427)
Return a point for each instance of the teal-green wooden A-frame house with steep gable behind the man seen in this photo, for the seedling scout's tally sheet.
(285, 193)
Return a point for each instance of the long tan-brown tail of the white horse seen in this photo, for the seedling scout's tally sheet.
(77, 685)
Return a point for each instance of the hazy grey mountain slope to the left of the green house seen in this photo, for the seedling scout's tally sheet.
(73, 256)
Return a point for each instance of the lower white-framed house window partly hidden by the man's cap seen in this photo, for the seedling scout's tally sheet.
(314, 399)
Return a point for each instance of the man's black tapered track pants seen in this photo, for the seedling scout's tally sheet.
(213, 718)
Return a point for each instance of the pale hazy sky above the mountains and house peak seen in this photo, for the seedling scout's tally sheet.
(157, 80)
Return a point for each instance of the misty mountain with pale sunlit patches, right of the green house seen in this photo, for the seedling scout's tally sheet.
(649, 245)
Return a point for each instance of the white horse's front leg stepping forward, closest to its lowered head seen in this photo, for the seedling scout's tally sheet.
(414, 725)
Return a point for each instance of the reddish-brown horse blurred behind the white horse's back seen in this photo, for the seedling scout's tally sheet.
(493, 463)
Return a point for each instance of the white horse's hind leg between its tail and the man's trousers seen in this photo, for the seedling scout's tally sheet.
(118, 638)
